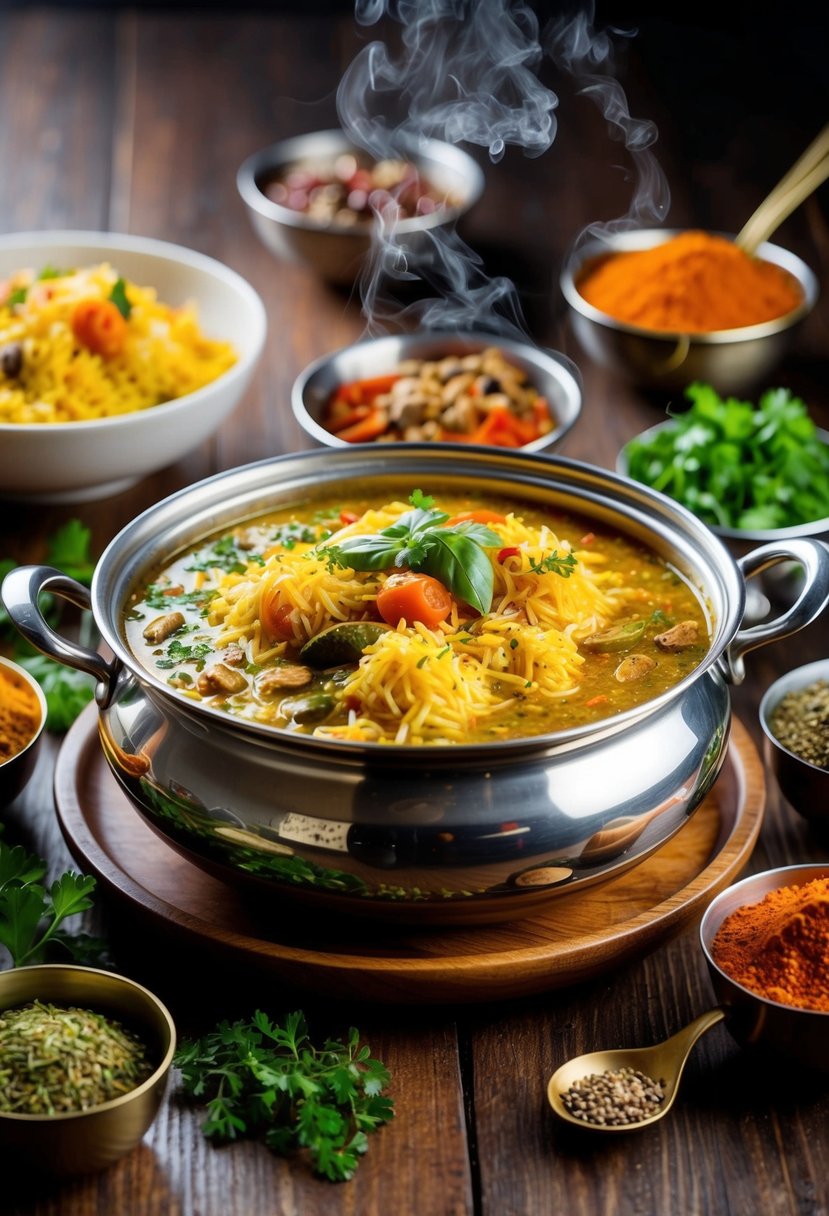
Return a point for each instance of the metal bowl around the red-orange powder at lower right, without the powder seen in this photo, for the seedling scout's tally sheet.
(799, 1037)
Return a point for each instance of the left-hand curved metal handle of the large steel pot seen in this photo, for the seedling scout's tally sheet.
(21, 592)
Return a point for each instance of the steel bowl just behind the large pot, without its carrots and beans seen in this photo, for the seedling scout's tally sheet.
(556, 379)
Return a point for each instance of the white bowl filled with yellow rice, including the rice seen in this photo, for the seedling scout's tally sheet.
(119, 356)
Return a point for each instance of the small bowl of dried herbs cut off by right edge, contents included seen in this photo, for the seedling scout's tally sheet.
(794, 714)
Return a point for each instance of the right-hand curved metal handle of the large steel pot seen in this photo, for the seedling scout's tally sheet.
(814, 556)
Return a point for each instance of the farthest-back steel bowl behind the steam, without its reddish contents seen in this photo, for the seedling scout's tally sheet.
(335, 252)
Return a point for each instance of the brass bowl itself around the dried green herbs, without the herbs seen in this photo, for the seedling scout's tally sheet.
(77, 1142)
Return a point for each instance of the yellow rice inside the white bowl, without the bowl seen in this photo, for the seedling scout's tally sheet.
(52, 376)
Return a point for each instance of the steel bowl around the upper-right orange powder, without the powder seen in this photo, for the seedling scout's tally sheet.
(731, 361)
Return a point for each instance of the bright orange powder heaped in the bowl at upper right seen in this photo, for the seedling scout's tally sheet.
(695, 283)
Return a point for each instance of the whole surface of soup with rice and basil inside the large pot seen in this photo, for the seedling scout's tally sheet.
(420, 621)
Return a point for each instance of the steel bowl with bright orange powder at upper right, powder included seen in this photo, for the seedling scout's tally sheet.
(664, 308)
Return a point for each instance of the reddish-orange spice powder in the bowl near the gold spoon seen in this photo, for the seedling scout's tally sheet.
(780, 948)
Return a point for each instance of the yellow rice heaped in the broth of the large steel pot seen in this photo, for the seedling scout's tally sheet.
(416, 685)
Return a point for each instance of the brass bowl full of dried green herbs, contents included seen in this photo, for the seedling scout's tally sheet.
(84, 1063)
